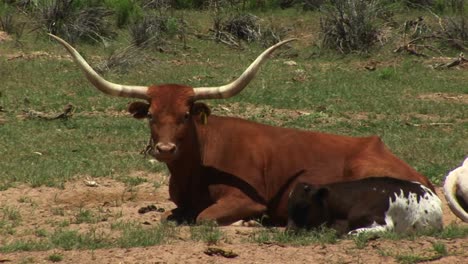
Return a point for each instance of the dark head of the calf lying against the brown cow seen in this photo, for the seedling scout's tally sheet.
(306, 207)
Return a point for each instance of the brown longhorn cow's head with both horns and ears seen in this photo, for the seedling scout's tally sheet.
(169, 108)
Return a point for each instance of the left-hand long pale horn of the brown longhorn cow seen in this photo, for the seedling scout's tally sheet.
(99, 82)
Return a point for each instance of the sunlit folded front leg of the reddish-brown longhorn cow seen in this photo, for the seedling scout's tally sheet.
(230, 209)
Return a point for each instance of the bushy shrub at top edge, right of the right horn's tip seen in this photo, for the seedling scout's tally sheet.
(350, 25)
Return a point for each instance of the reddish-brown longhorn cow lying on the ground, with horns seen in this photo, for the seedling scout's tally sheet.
(228, 169)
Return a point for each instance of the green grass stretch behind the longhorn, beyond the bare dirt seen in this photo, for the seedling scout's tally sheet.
(97, 142)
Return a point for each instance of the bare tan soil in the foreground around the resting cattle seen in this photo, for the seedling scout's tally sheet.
(110, 201)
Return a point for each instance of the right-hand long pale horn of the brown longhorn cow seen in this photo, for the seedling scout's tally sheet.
(240, 83)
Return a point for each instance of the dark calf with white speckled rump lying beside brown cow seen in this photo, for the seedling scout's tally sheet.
(367, 205)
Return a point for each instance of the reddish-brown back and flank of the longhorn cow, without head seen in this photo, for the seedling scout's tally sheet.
(267, 157)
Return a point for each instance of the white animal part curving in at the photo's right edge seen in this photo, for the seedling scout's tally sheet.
(459, 176)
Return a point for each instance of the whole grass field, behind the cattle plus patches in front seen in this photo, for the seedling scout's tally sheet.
(420, 113)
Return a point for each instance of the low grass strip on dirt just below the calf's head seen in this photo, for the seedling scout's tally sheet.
(301, 238)
